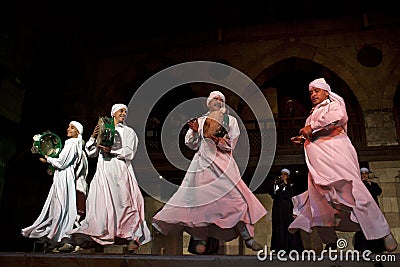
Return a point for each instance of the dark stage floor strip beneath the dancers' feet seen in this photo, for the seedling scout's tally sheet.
(8, 259)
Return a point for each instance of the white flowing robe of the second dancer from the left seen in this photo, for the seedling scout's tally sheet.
(114, 205)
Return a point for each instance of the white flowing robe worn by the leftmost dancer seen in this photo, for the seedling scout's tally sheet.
(59, 211)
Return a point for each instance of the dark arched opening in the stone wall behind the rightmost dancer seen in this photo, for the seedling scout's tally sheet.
(288, 80)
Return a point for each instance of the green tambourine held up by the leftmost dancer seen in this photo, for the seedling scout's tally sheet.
(47, 144)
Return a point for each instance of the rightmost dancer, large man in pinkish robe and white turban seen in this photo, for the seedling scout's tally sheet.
(336, 198)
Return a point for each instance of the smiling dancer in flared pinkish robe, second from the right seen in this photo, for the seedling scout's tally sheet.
(213, 200)
